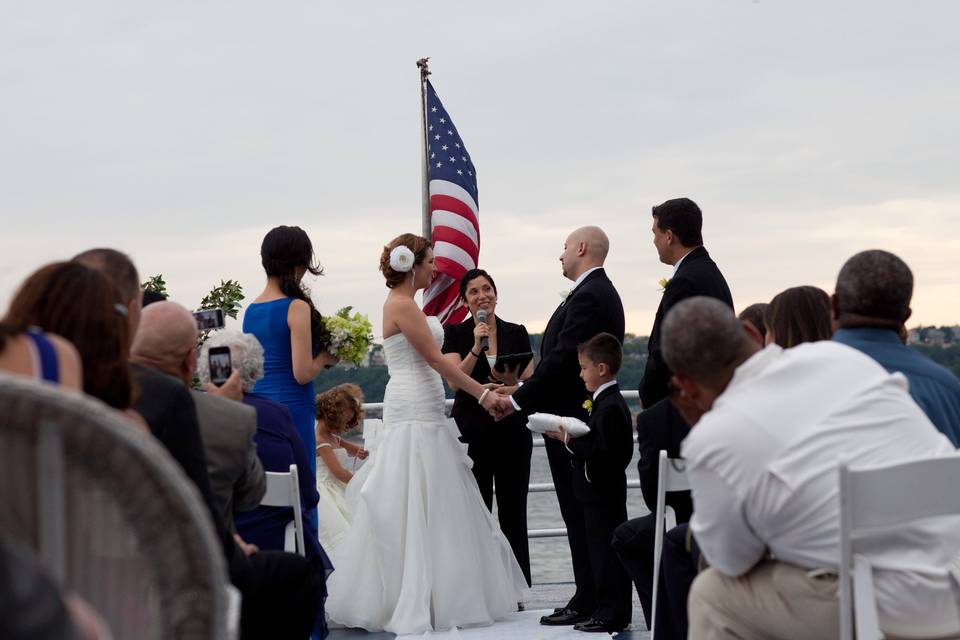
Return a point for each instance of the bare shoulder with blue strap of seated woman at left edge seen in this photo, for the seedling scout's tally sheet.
(44, 356)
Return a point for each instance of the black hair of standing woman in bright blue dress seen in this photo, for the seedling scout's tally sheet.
(284, 249)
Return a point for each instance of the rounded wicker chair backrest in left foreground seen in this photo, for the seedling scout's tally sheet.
(109, 513)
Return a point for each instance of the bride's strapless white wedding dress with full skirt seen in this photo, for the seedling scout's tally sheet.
(422, 552)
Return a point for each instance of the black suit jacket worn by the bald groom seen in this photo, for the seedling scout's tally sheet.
(555, 387)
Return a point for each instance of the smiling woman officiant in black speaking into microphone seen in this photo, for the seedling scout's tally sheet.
(500, 450)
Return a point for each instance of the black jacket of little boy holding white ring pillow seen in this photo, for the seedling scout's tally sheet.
(600, 458)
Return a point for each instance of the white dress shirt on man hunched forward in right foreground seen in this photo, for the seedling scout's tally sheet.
(762, 465)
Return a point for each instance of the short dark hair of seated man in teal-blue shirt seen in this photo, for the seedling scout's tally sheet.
(875, 285)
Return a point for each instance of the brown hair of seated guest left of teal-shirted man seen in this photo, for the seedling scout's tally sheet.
(797, 315)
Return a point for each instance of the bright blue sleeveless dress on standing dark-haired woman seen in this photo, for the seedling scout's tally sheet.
(268, 322)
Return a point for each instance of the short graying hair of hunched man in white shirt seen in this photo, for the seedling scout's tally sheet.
(703, 340)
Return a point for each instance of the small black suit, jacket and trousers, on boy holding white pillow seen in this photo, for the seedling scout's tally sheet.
(600, 484)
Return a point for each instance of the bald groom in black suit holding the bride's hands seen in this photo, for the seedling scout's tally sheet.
(593, 306)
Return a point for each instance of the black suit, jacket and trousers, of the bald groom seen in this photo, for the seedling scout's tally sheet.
(592, 307)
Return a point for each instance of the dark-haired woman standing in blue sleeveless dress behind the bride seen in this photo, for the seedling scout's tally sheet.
(287, 324)
